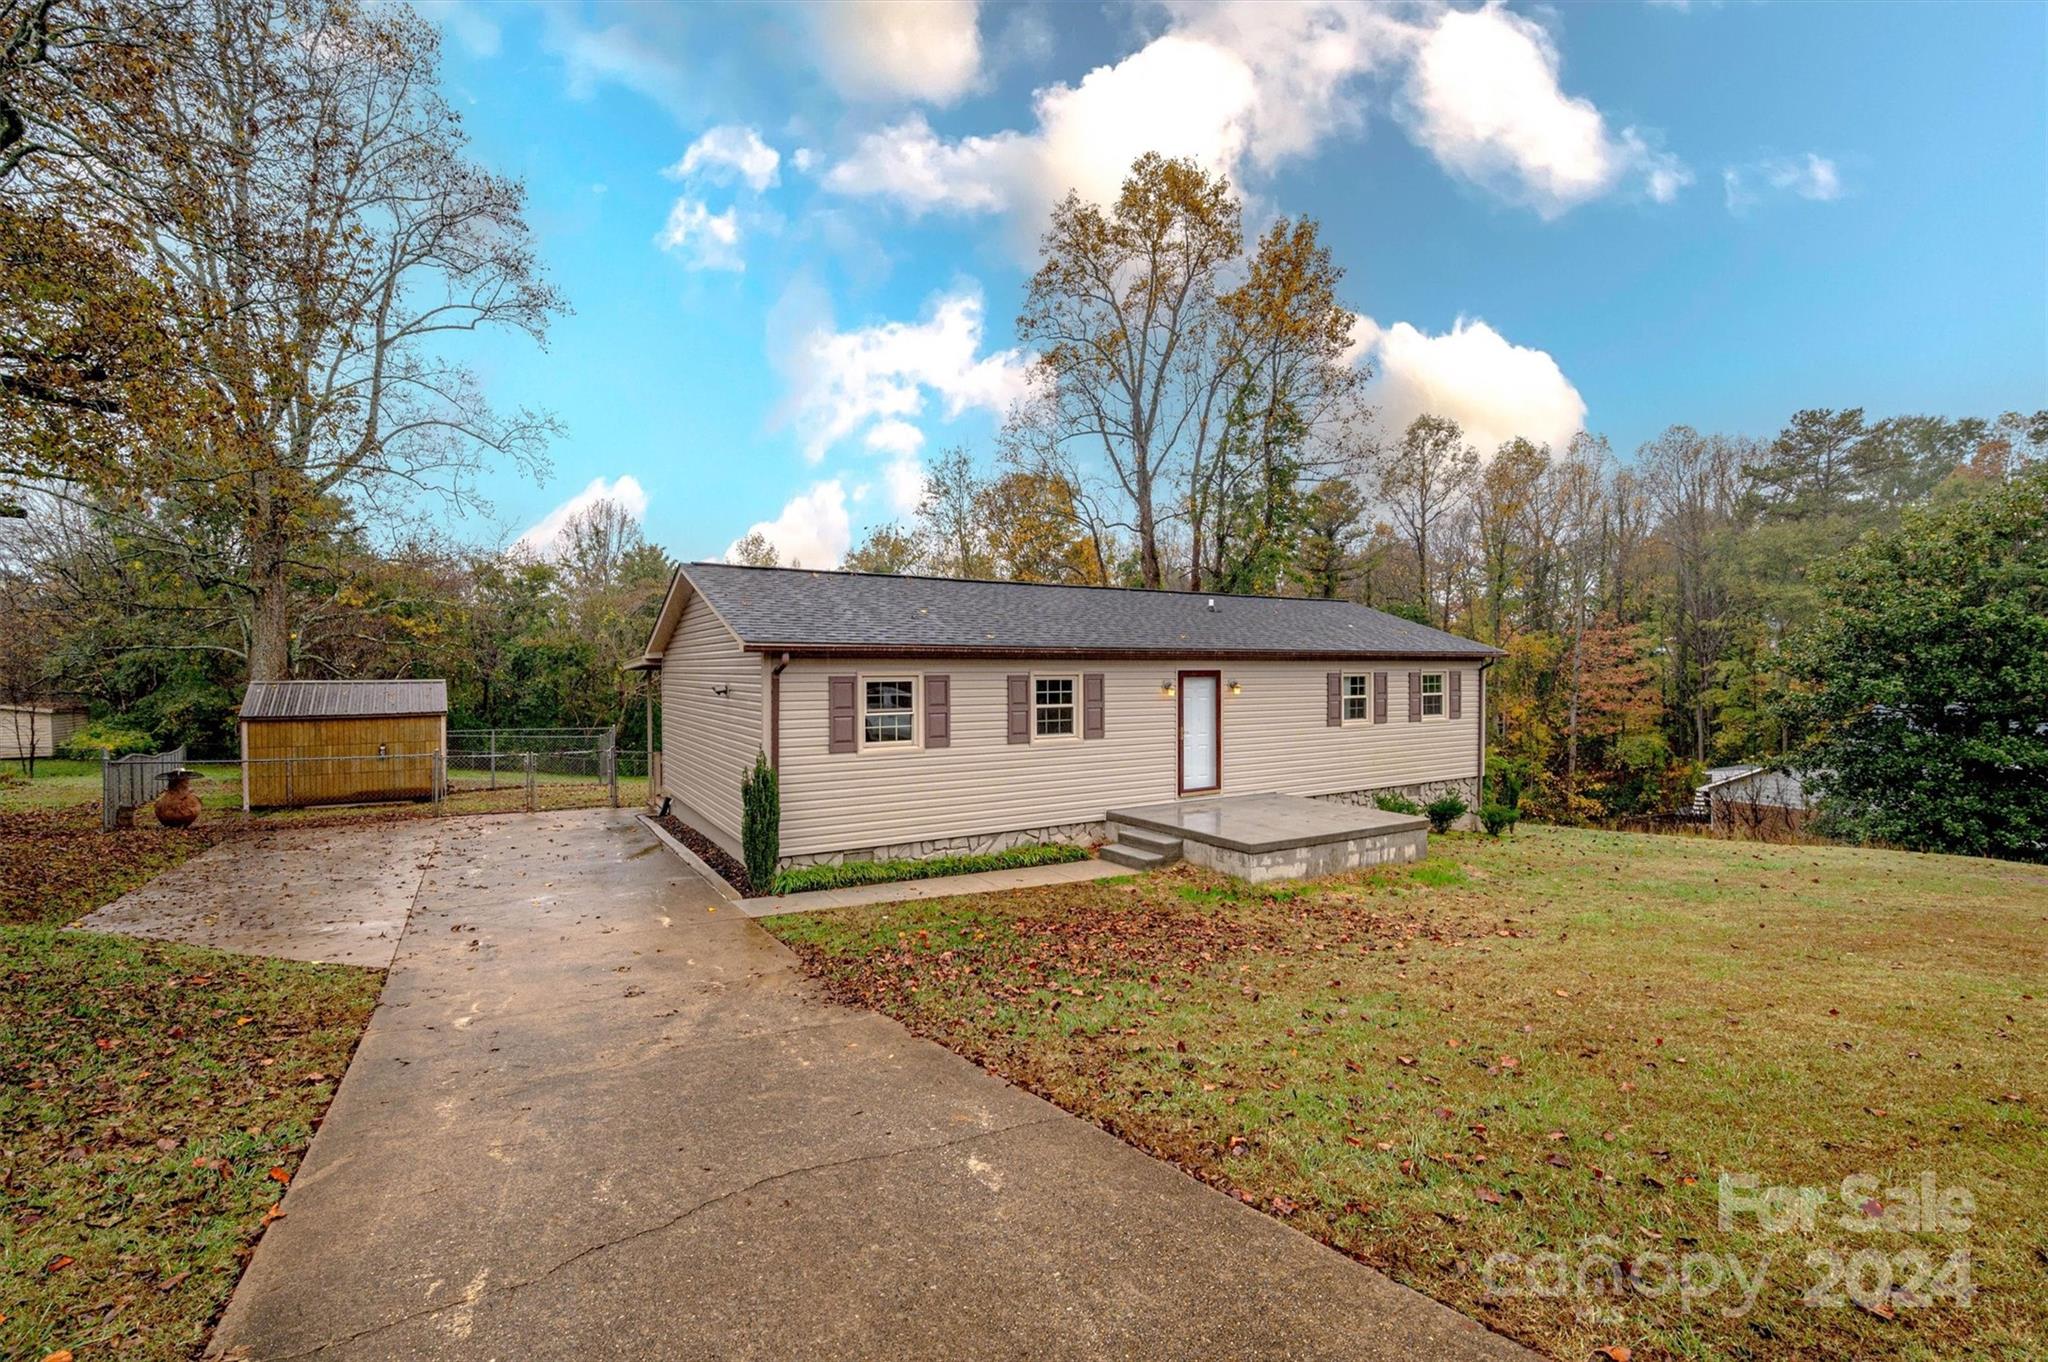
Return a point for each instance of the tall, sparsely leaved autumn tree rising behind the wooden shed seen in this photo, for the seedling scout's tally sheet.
(323, 243)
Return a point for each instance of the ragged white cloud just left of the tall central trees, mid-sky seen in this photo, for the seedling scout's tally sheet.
(880, 376)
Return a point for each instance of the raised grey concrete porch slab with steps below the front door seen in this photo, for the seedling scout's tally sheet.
(1281, 837)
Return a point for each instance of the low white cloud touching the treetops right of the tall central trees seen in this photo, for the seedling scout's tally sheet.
(1474, 376)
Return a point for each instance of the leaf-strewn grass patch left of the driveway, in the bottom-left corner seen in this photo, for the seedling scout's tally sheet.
(155, 1103)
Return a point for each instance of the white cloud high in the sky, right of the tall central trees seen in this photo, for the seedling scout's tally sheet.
(1484, 99)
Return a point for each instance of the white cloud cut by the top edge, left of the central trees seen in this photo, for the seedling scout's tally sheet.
(894, 50)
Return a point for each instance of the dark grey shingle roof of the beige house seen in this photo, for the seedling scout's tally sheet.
(855, 611)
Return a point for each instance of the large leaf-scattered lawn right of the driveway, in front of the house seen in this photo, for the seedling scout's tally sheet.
(1551, 1048)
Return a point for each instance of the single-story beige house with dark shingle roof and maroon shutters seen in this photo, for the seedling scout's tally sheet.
(931, 716)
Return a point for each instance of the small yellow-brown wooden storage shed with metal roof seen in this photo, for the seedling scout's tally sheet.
(343, 742)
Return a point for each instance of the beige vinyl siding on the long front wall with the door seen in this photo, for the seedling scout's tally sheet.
(1275, 738)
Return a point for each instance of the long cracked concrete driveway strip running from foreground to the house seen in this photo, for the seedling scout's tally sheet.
(601, 1113)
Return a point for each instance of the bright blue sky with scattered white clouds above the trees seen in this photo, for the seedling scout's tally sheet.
(796, 239)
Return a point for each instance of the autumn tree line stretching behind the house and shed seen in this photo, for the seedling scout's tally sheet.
(243, 249)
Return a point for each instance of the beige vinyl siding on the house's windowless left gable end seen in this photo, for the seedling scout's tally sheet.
(710, 740)
